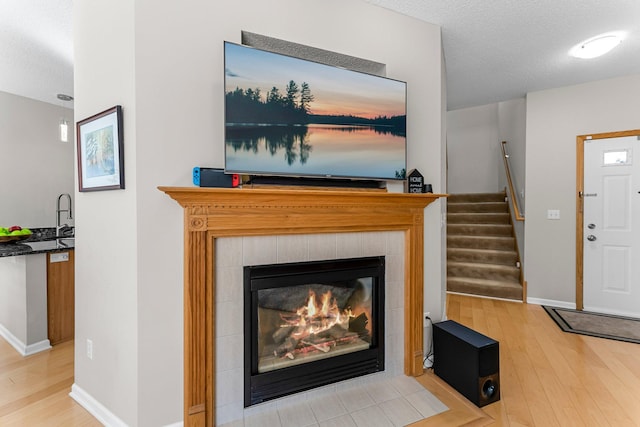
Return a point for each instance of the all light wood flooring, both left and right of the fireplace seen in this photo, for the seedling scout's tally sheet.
(548, 377)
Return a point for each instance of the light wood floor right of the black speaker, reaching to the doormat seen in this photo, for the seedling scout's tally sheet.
(549, 377)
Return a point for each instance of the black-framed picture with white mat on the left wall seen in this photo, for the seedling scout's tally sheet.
(101, 151)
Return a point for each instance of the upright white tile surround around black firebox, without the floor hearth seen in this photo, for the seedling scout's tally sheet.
(236, 253)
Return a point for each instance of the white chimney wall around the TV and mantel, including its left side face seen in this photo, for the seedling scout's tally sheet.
(165, 67)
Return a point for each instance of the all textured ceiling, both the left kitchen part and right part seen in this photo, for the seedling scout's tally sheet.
(494, 50)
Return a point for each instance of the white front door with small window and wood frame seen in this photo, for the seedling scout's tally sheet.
(611, 262)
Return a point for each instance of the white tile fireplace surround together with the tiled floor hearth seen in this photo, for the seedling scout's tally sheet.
(390, 393)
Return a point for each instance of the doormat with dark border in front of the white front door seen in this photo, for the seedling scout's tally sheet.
(596, 324)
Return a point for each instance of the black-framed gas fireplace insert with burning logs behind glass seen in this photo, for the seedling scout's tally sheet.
(310, 324)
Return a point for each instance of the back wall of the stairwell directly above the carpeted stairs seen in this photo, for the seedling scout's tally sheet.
(473, 159)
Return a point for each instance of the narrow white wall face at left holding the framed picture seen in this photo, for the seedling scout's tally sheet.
(106, 222)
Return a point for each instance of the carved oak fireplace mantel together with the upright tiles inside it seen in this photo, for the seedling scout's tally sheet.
(227, 229)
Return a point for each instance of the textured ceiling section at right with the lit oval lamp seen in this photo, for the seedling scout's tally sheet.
(497, 50)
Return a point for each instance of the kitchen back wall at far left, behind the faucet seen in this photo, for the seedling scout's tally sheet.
(36, 166)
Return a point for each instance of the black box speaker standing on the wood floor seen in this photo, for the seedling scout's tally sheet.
(468, 361)
